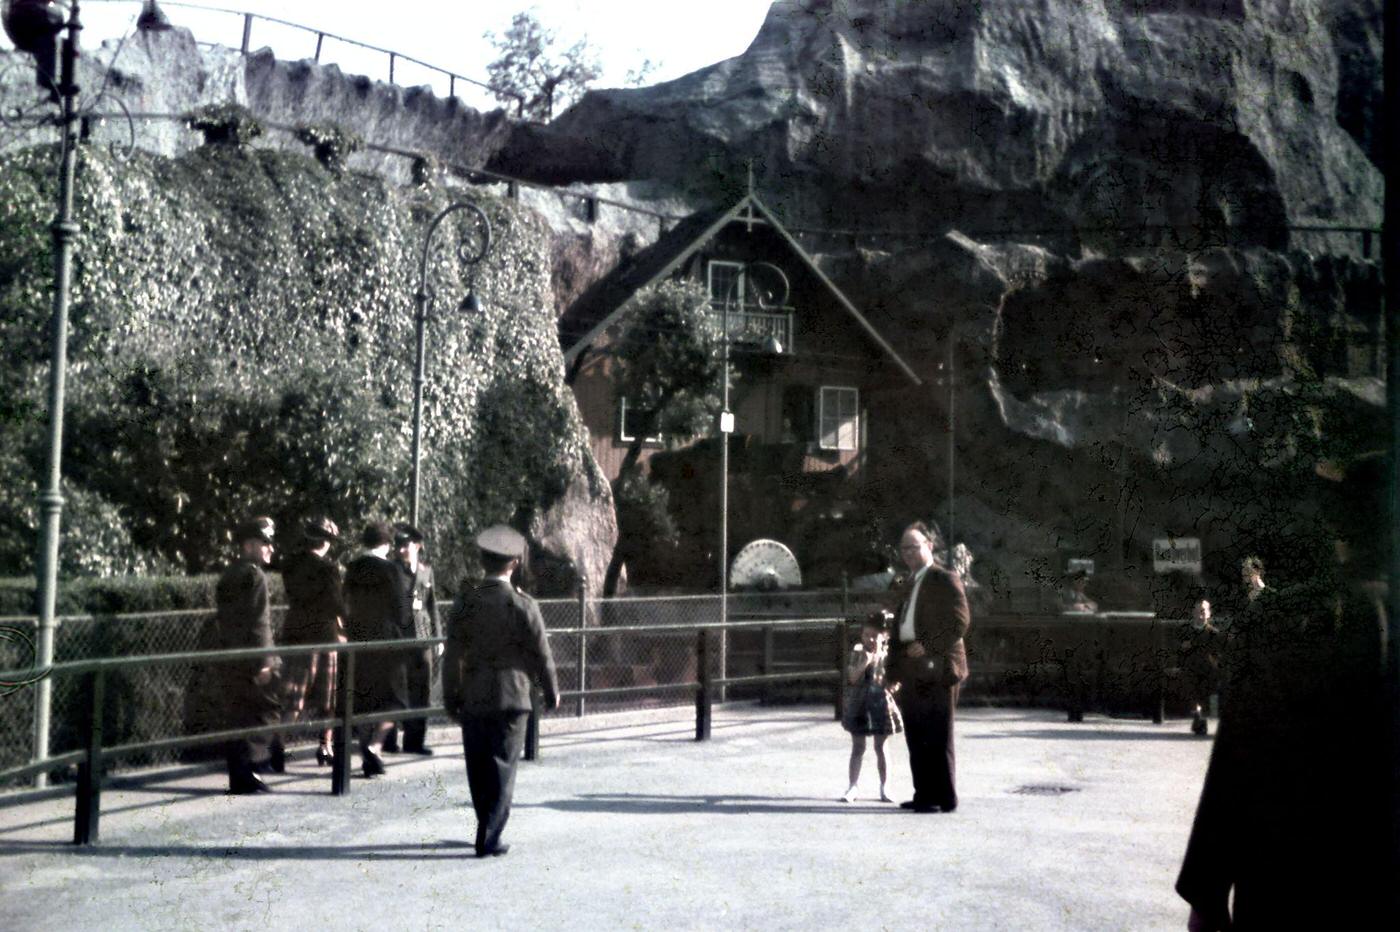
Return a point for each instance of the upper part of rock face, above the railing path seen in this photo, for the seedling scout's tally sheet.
(1109, 113)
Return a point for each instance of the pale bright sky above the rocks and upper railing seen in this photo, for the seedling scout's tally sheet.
(678, 36)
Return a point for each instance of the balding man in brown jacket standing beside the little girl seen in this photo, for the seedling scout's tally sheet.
(929, 661)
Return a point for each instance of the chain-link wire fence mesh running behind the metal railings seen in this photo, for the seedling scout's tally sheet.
(614, 656)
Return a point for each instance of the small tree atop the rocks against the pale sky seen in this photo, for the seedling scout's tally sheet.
(531, 76)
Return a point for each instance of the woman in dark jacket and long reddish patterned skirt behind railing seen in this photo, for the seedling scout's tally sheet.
(316, 615)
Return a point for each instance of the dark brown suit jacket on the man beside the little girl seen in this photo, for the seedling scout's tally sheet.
(941, 619)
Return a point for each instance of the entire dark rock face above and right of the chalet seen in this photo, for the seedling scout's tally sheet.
(1104, 204)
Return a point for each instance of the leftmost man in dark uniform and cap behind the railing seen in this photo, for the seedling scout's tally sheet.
(248, 688)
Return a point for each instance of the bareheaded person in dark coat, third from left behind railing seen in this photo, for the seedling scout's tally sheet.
(377, 609)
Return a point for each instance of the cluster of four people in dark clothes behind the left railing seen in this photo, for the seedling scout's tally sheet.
(377, 598)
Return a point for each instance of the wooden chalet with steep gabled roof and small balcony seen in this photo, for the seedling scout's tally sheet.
(807, 411)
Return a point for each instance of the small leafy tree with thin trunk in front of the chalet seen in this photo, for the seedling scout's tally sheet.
(670, 374)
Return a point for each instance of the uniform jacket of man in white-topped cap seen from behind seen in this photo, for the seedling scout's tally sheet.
(496, 649)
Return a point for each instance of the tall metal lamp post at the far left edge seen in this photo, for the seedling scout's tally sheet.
(34, 26)
